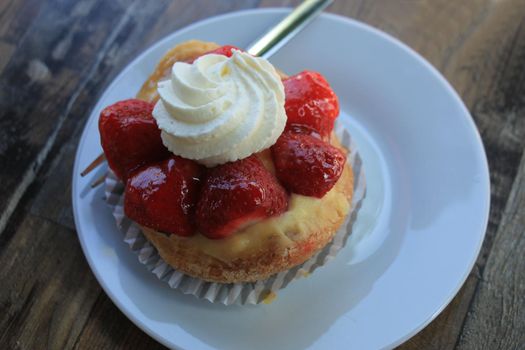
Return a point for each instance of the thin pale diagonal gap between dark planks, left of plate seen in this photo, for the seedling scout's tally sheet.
(34, 167)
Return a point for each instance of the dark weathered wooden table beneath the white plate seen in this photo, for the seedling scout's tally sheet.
(56, 57)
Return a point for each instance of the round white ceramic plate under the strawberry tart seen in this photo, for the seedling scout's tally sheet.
(417, 235)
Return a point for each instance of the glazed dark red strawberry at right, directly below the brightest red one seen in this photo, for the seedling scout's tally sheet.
(307, 165)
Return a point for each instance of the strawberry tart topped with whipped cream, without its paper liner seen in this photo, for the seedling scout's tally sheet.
(231, 167)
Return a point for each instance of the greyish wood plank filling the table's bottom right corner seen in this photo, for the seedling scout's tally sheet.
(497, 317)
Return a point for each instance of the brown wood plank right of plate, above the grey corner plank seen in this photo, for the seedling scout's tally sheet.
(489, 72)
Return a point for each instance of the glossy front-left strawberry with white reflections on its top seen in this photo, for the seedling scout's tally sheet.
(162, 196)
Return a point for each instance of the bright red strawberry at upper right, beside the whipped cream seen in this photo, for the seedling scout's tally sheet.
(311, 101)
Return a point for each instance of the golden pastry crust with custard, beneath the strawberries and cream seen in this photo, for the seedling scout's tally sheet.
(267, 247)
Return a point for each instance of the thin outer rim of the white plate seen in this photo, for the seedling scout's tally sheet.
(280, 11)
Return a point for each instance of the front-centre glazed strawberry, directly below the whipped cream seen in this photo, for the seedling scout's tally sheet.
(237, 194)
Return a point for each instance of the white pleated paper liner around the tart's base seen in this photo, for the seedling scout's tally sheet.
(235, 293)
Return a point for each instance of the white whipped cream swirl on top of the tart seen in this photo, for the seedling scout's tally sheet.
(220, 109)
